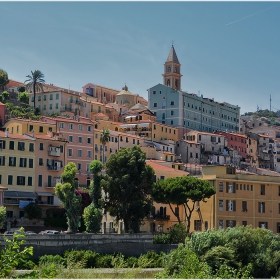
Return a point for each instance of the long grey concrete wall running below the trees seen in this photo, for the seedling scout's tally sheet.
(127, 244)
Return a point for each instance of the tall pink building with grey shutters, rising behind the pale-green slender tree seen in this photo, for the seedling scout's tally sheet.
(78, 131)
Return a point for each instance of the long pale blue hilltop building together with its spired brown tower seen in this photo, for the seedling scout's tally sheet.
(175, 107)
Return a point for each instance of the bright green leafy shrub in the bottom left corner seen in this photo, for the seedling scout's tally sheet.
(13, 253)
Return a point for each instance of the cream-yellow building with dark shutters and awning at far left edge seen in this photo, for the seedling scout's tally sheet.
(17, 172)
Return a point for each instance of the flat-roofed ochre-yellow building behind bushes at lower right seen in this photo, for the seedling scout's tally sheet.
(241, 198)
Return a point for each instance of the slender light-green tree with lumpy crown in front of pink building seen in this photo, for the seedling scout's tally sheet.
(65, 191)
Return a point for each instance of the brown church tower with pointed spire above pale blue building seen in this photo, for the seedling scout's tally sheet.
(172, 71)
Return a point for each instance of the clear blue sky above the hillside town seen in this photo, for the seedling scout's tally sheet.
(228, 51)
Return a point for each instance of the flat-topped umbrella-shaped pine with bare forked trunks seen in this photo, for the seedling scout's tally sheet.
(183, 191)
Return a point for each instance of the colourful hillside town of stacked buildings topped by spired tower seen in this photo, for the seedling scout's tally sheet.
(181, 133)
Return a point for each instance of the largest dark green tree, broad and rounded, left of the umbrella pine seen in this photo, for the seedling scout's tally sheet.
(128, 187)
